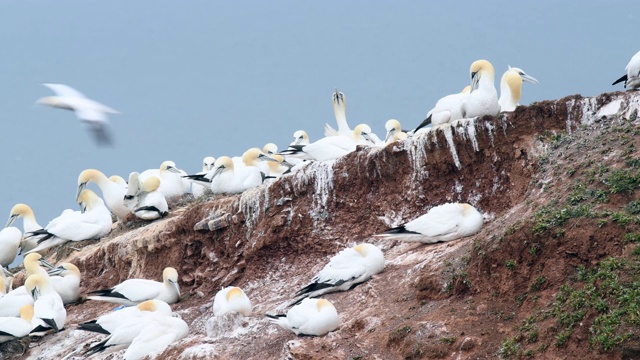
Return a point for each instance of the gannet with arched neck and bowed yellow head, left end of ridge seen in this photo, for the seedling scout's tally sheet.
(112, 192)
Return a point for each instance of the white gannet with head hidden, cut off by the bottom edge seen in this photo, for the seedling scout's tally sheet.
(154, 338)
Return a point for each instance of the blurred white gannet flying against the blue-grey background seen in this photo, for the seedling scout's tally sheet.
(90, 112)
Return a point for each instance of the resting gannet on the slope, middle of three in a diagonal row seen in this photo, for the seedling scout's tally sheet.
(345, 270)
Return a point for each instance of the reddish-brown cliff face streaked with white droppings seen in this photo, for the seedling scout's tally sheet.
(463, 299)
